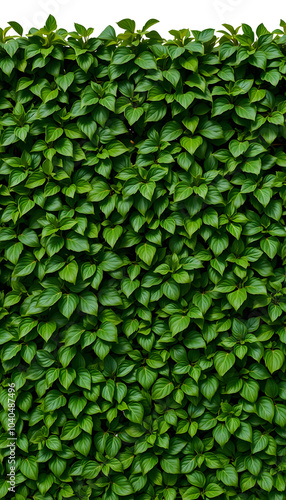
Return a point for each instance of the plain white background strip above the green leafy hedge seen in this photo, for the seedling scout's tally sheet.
(172, 14)
